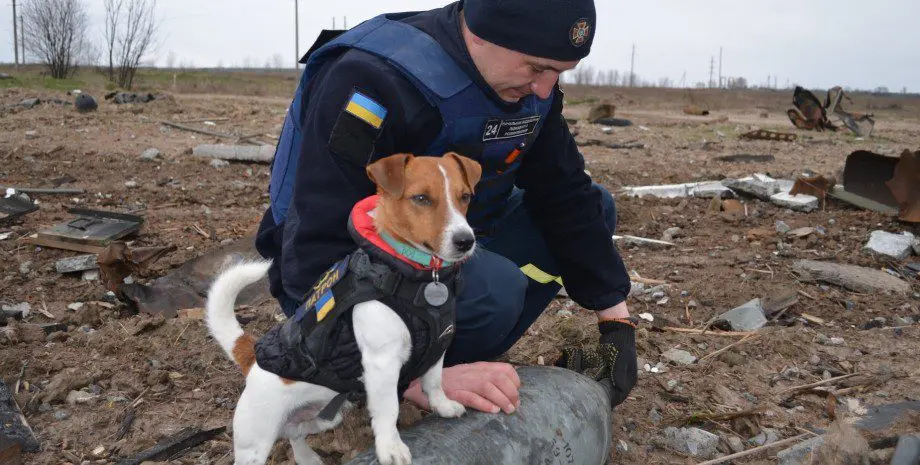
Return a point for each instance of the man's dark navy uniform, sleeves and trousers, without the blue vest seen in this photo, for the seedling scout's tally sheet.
(544, 222)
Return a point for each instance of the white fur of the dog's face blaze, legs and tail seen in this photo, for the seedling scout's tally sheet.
(271, 407)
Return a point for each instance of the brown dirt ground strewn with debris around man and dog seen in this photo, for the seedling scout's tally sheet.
(168, 374)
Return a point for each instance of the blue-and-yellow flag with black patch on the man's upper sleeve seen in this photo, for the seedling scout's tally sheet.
(356, 128)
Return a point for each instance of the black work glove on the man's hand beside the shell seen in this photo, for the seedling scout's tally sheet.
(613, 363)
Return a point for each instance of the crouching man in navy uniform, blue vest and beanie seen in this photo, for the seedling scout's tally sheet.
(478, 77)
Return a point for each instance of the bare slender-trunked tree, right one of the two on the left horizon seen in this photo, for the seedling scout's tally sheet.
(130, 30)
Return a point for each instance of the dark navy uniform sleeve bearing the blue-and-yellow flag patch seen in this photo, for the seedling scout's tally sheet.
(355, 110)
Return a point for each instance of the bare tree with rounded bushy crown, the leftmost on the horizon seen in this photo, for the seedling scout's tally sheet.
(57, 33)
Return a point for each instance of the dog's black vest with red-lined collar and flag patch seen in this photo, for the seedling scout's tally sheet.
(317, 344)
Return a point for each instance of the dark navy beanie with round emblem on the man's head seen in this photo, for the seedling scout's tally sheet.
(559, 30)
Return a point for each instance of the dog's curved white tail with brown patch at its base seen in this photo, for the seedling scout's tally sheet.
(220, 318)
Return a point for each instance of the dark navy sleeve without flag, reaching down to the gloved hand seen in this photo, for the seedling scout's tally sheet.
(559, 195)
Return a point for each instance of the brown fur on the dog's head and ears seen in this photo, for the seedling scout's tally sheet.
(413, 206)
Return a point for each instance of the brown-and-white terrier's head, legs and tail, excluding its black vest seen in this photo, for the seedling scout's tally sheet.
(422, 201)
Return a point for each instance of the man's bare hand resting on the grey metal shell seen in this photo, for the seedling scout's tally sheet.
(485, 386)
